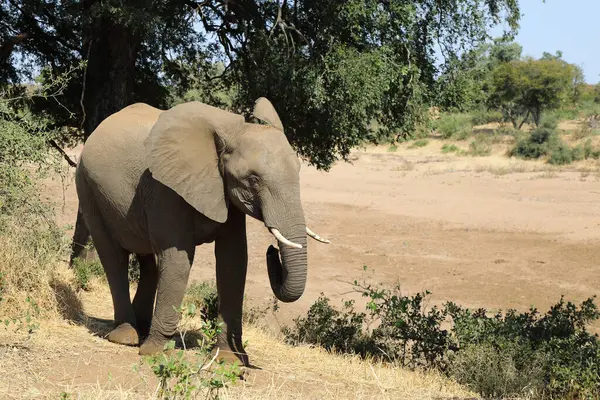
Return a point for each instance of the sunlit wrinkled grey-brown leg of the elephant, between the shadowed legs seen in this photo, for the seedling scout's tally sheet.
(174, 266)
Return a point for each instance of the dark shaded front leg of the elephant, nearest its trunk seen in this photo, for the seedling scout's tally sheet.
(232, 261)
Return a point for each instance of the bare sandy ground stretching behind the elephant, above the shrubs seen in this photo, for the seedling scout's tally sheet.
(487, 232)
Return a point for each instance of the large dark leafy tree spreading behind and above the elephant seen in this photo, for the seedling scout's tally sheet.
(339, 72)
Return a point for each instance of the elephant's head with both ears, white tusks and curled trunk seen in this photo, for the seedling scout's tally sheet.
(214, 159)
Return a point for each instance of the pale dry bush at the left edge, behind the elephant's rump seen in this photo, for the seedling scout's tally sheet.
(31, 244)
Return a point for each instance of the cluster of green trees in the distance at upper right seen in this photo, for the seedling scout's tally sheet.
(495, 76)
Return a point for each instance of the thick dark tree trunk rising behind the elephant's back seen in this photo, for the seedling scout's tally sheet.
(112, 50)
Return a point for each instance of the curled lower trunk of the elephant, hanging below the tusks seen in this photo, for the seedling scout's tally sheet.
(288, 274)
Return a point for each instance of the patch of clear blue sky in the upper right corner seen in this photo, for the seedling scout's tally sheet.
(570, 26)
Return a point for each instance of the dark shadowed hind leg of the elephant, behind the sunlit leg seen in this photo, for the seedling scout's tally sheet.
(143, 302)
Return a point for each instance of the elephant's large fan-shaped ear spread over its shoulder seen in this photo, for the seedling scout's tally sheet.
(183, 151)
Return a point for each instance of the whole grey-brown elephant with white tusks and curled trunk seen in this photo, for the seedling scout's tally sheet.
(157, 183)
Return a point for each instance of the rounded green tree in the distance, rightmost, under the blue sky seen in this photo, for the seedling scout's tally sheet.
(526, 88)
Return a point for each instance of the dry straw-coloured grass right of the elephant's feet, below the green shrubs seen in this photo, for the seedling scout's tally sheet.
(312, 373)
